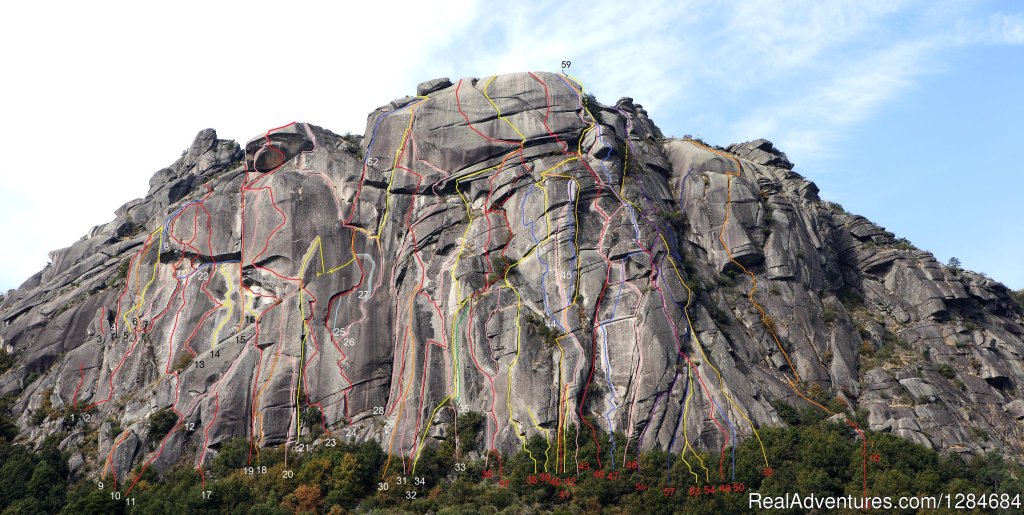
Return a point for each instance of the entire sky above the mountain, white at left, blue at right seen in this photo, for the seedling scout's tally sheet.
(910, 113)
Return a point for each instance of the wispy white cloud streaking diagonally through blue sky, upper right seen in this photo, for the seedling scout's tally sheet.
(844, 89)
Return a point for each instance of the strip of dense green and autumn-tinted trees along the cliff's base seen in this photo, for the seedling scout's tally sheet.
(810, 456)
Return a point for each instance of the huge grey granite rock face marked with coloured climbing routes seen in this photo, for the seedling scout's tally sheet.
(509, 247)
